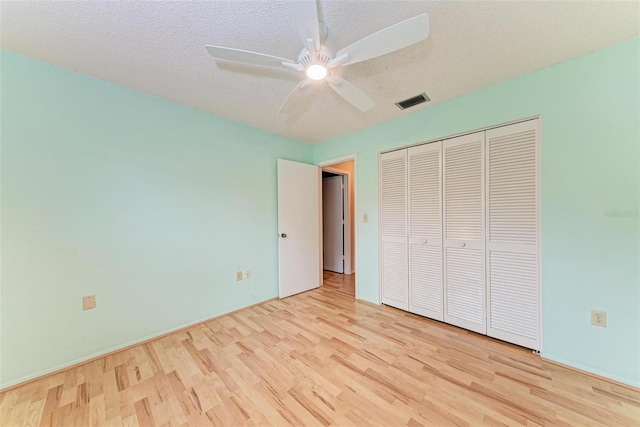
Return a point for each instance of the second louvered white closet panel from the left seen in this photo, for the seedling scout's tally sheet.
(425, 231)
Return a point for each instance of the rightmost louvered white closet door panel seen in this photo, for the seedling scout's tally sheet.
(512, 234)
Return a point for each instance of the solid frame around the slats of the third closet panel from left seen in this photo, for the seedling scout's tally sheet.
(480, 245)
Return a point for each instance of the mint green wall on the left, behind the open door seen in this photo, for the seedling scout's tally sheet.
(149, 205)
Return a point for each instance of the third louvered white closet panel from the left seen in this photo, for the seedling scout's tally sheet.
(463, 214)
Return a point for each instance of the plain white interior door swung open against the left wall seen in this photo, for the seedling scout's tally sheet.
(298, 227)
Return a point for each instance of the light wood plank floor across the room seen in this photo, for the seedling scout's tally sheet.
(320, 358)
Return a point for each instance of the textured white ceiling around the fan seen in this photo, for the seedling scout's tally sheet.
(157, 47)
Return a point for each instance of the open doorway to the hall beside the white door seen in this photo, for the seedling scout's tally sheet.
(338, 227)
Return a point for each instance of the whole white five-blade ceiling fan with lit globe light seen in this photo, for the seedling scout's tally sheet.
(317, 61)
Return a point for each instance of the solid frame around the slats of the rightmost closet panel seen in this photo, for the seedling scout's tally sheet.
(537, 344)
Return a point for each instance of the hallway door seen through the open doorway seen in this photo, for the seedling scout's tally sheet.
(333, 222)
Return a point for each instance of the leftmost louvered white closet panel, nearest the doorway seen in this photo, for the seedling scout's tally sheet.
(393, 229)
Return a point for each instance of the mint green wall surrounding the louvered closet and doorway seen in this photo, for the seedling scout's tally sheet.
(590, 165)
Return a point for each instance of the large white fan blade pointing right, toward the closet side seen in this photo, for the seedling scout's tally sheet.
(387, 40)
